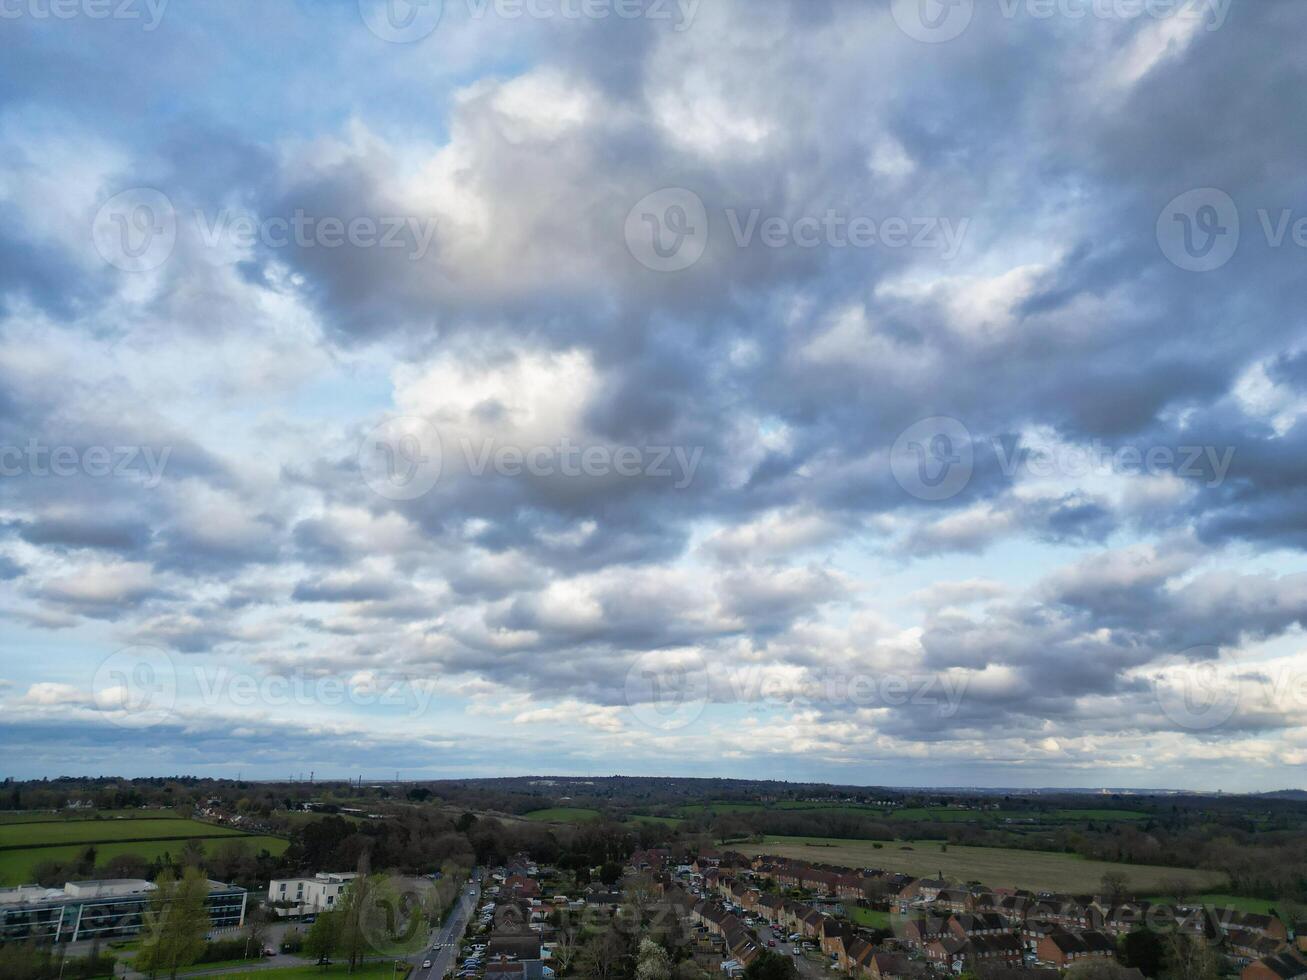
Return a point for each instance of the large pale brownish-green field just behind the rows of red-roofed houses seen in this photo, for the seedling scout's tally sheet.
(994, 867)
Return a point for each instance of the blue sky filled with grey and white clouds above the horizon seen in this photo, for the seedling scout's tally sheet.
(895, 393)
